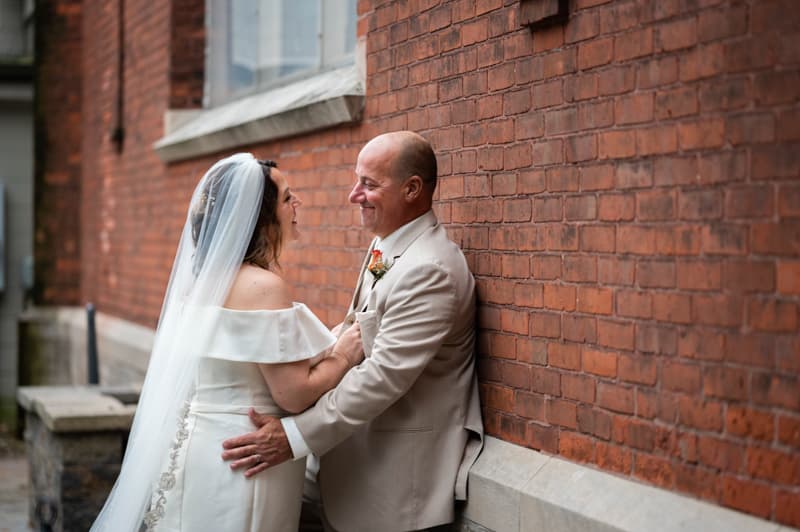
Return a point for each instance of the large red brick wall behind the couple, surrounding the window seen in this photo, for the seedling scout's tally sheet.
(625, 187)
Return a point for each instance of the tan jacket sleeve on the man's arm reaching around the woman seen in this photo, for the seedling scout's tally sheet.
(419, 315)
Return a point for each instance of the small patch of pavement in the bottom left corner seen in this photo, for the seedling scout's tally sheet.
(14, 483)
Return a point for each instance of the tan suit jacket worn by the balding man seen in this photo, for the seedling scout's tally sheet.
(398, 434)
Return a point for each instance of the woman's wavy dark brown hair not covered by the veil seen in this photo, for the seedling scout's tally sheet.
(267, 240)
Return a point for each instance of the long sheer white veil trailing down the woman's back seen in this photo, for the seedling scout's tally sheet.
(219, 224)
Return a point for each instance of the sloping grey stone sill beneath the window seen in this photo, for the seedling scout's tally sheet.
(326, 100)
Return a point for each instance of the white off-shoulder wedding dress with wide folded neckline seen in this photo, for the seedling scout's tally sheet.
(199, 492)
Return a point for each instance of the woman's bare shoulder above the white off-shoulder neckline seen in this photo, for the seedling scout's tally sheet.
(255, 288)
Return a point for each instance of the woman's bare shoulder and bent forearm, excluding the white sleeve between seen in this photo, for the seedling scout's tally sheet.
(296, 385)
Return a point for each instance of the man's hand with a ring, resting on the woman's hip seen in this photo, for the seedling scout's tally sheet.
(256, 451)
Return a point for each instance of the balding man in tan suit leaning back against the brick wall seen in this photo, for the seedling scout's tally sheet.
(398, 434)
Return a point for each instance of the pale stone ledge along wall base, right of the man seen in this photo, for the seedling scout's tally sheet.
(514, 489)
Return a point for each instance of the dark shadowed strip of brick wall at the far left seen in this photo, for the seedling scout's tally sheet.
(57, 131)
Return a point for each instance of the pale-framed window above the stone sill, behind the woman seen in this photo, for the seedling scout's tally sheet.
(257, 45)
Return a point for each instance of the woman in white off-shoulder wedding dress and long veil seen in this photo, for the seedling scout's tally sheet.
(229, 337)
